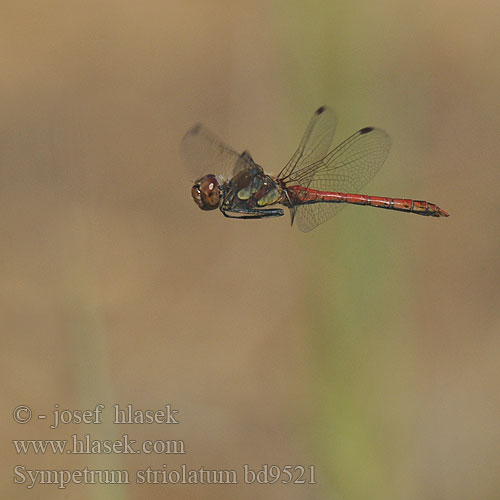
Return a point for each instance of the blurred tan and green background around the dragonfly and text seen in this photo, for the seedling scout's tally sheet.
(368, 347)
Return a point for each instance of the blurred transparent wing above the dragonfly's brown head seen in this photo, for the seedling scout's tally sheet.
(204, 153)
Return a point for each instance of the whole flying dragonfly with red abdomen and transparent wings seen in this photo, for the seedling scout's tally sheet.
(314, 185)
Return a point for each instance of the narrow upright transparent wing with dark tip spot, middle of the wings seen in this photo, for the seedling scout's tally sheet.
(315, 142)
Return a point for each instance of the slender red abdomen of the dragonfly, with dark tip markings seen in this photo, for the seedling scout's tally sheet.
(300, 195)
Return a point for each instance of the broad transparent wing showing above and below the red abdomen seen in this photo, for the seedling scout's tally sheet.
(346, 169)
